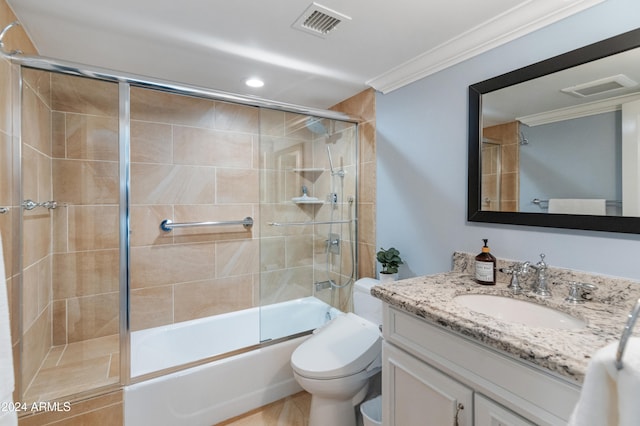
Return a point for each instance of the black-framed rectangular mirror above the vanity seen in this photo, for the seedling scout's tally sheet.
(547, 146)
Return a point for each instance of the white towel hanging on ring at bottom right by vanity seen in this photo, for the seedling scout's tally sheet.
(609, 396)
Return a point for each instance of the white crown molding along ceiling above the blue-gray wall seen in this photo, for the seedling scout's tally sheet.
(523, 19)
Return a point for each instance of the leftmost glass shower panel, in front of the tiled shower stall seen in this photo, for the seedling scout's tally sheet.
(70, 235)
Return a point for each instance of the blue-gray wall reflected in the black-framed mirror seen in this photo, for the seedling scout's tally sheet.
(577, 158)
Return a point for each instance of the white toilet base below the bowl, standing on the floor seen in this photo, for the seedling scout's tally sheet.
(335, 412)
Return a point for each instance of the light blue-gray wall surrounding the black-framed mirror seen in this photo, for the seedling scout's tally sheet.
(422, 162)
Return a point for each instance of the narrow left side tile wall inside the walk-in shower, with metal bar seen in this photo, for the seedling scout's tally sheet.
(36, 253)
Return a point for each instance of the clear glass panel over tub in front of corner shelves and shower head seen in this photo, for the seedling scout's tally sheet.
(308, 262)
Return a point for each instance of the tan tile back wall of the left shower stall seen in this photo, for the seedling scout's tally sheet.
(85, 225)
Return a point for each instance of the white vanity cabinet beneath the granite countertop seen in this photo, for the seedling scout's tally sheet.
(432, 376)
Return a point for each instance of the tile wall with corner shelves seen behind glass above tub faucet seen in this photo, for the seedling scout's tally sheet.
(291, 156)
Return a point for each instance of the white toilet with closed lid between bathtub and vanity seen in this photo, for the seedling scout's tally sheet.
(335, 364)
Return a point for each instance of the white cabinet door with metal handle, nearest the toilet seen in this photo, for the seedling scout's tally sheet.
(418, 394)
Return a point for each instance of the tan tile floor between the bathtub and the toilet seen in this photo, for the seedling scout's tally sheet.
(290, 411)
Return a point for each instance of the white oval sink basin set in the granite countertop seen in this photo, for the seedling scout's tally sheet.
(518, 311)
